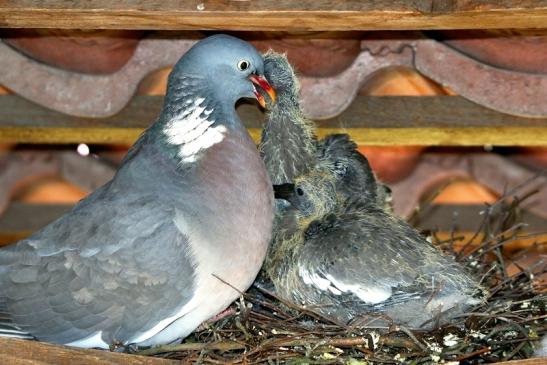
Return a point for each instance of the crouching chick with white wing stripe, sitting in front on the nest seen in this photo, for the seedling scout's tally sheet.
(353, 259)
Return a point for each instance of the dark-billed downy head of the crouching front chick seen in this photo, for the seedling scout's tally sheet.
(312, 195)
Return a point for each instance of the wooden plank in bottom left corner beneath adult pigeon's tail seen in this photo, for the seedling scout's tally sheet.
(17, 352)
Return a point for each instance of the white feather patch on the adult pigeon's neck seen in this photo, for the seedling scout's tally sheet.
(192, 131)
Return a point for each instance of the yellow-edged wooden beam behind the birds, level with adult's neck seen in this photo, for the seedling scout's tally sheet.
(370, 120)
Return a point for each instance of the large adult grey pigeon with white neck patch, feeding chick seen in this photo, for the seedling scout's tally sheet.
(167, 243)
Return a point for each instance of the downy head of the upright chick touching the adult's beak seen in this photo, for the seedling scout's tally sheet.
(279, 72)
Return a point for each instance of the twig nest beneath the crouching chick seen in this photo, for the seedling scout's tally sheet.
(261, 328)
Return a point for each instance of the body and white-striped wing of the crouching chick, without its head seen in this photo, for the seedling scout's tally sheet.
(366, 261)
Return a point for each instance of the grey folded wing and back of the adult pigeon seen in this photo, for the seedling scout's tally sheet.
(91, 265)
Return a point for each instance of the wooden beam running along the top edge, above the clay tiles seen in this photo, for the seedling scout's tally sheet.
(276, 15)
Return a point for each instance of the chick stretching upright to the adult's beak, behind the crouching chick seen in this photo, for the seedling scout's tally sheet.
(290, 148)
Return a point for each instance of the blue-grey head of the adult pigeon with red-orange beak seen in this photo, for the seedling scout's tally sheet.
(230, 67)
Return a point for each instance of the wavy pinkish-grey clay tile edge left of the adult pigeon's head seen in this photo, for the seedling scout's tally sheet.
(82, 94)
